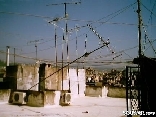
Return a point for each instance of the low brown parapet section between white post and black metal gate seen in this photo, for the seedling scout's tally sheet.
(118, 92)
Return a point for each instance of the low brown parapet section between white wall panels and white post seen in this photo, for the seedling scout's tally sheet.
(96, 91)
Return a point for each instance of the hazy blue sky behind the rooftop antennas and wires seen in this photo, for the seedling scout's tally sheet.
(24, 24)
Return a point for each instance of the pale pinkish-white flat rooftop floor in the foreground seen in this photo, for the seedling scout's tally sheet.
(96, 107)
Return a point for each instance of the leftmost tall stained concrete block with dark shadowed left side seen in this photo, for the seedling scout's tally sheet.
(22, 77)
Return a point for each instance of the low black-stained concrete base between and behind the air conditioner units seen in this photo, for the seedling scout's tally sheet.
(38, 98)
